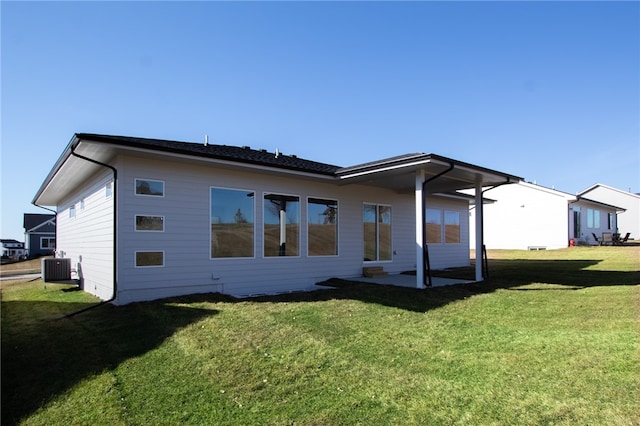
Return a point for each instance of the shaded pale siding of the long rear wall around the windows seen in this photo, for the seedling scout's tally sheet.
(185, 241)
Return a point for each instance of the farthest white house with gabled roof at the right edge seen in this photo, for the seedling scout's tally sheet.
(629, 221)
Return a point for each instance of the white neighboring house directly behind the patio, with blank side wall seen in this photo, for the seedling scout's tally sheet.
(526, 216)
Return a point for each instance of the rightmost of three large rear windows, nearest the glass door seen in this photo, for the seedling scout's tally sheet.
(322, 227)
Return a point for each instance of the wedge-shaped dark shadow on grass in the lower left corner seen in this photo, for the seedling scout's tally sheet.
(44, 355)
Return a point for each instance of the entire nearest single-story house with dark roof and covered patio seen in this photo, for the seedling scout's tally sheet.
(143, 219)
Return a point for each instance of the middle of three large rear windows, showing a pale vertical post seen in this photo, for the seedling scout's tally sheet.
(281, 225)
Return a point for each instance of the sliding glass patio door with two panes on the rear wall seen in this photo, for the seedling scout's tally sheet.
(377, 232)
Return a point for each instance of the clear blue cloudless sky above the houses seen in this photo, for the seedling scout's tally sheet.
(549, 91)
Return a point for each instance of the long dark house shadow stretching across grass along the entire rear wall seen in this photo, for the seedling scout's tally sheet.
(42, 358)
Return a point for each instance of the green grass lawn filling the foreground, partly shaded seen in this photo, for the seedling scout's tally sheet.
(551, 338)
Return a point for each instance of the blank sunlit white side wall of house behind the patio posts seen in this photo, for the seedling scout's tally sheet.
(524, 216)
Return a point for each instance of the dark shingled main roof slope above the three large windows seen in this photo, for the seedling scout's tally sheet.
(220, 152)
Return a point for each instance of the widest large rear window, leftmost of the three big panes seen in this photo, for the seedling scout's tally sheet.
(232, 223)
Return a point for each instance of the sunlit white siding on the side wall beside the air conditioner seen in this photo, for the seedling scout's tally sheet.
(87, 239)
